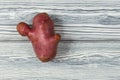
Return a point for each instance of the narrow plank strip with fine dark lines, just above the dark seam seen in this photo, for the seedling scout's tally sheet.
(91, 32)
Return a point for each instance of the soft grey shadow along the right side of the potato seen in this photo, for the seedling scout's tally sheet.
(64, 44)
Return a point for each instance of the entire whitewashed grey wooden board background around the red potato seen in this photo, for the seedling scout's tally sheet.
(90, 46)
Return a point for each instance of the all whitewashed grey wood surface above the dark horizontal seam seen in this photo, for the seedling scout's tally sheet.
(79, 20)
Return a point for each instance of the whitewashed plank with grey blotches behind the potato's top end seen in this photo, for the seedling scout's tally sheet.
(104, 15)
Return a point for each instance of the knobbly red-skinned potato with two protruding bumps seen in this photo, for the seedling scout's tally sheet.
(42, 36)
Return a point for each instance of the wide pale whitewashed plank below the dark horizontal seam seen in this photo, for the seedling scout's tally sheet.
(75, 60)
